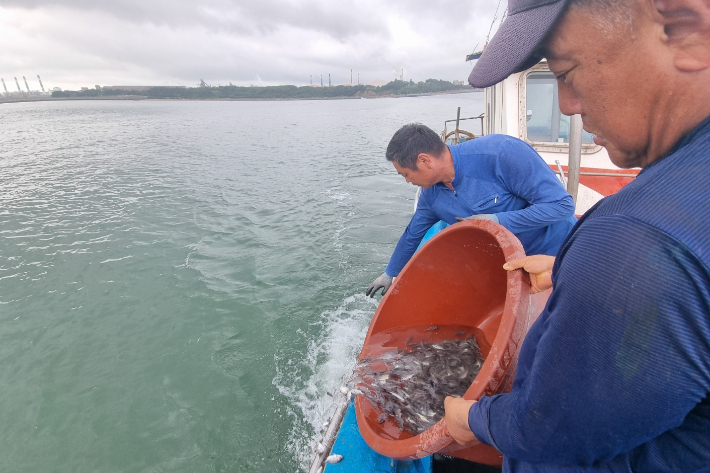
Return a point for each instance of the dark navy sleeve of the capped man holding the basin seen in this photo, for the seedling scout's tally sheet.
(619, 355)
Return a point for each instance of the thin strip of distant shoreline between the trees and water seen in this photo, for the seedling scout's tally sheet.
(145, 98)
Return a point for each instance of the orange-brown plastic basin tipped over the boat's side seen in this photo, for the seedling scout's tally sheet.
(455, 280)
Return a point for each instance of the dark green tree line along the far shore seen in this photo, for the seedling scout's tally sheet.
(396, 87)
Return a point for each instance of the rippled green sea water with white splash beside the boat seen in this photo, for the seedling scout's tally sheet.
(182, 282)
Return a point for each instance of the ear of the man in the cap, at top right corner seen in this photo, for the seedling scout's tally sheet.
(686, 24)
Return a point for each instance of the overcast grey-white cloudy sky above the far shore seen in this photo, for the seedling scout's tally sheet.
(74, 43)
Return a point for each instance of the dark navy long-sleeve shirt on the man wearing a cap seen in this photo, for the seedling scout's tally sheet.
(614, 376)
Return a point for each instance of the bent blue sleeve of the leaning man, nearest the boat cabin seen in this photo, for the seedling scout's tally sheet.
(525, 174)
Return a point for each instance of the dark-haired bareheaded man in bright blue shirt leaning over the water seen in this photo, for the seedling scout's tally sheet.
(495, 177)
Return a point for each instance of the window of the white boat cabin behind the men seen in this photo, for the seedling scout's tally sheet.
(544, 120)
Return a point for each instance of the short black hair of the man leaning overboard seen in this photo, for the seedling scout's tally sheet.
(411, 140)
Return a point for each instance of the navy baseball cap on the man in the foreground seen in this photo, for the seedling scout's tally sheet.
(516, 45)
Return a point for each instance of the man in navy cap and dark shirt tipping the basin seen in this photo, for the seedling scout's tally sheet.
(615, 374)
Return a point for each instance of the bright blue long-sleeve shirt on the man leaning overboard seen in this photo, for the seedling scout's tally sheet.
(501, 175)
